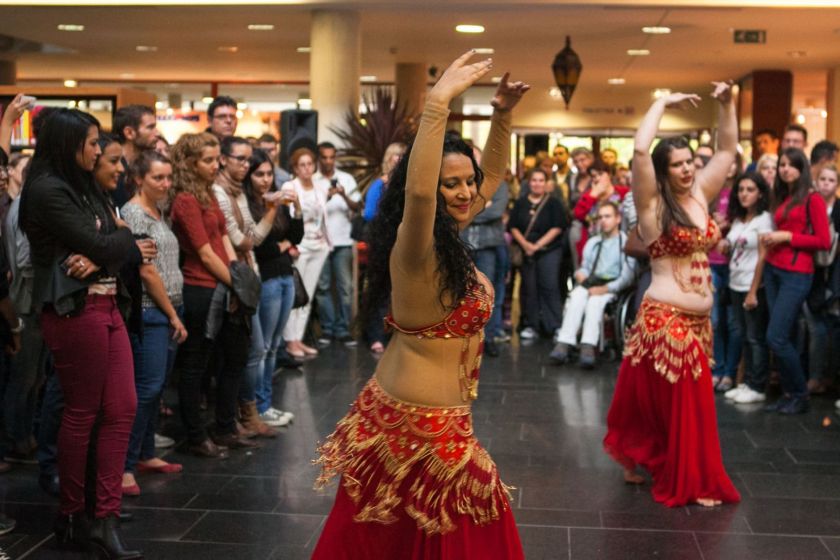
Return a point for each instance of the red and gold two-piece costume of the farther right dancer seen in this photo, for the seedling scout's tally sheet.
(662, 415)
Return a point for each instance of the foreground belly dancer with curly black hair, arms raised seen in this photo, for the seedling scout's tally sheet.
(415, 483)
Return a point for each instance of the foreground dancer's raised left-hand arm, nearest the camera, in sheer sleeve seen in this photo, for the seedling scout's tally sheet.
(414, 247)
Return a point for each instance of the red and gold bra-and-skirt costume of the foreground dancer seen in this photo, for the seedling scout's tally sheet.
(415, 482)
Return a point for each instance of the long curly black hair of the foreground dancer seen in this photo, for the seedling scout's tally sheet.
(455, 265)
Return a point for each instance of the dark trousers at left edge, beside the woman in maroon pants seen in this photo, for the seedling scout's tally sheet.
(26, 375)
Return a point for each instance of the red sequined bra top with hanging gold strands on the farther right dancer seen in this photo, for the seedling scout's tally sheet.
(683, 244)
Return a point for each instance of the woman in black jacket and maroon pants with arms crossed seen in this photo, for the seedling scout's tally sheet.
(78, 247)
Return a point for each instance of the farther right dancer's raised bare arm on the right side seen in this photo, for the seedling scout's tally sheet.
(711, 178)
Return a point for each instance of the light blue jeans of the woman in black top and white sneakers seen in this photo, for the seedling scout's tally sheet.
(276, 300)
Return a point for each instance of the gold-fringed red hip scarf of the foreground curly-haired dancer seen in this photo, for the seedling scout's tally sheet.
(382, 440)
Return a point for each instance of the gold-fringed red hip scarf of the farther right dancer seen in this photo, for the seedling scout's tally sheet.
(672, 338)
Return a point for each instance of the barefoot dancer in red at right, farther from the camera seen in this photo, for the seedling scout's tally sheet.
(663, 412)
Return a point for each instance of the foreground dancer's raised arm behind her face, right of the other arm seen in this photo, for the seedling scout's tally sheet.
(496, 156)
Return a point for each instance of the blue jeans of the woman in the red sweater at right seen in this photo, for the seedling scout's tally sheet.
(786, 292)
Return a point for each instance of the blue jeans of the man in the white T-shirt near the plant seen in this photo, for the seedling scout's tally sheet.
(335, 319)
